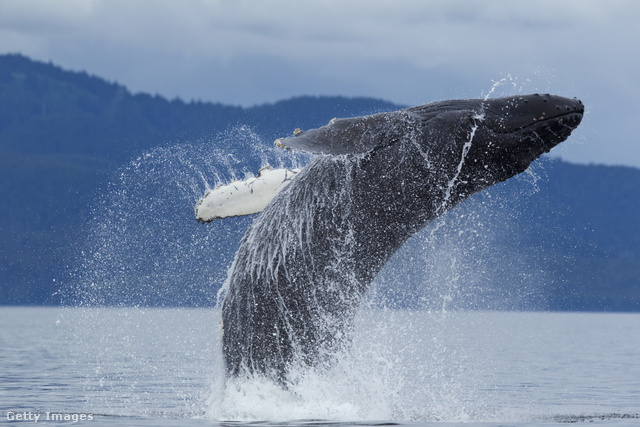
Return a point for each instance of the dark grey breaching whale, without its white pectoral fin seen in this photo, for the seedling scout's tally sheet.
(306, 261)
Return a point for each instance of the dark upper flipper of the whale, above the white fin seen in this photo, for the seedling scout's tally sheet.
(354, 135)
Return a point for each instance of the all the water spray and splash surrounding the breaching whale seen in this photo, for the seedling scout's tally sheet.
(143, 246)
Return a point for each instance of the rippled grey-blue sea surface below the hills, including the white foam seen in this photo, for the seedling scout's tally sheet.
(147, 367)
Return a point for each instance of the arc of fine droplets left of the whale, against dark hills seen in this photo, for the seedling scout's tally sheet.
(143, 245)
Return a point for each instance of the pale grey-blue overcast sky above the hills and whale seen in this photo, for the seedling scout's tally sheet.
(242, 52)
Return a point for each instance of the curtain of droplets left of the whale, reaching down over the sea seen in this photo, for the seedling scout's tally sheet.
(142, 248)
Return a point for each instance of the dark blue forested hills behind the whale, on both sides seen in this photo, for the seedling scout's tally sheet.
(63, 136)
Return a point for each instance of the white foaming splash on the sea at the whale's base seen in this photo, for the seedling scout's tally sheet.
(405, 366)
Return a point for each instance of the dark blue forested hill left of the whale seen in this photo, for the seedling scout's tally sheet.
(64, 134)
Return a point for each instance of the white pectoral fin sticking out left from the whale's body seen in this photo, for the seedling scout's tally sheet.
(243, 197)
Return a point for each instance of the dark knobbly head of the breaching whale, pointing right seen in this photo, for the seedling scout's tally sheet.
(478, 142)
